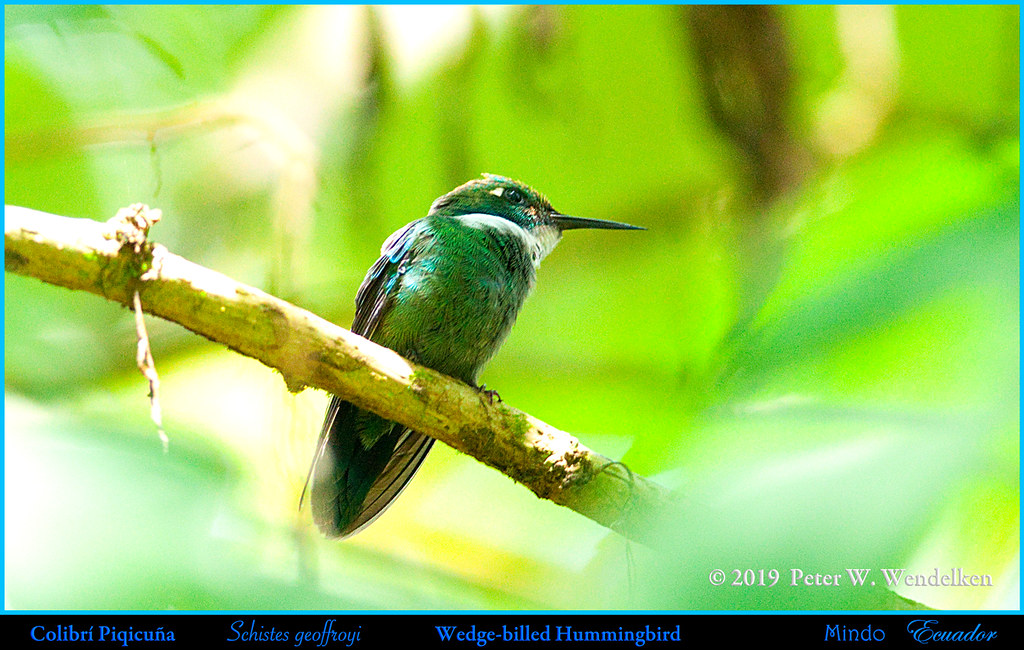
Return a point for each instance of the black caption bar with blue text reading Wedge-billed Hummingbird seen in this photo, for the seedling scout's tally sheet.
(461, 631)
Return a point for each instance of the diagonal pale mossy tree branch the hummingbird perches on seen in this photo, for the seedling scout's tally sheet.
(107, 259)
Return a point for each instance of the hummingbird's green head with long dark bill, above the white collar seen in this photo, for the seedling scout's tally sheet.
(517, 202)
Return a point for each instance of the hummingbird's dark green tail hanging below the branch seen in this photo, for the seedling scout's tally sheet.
(363, 463)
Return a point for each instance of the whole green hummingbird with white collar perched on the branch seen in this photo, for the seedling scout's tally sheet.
(444, 294)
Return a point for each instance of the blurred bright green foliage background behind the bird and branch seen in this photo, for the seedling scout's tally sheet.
(817, 342)
